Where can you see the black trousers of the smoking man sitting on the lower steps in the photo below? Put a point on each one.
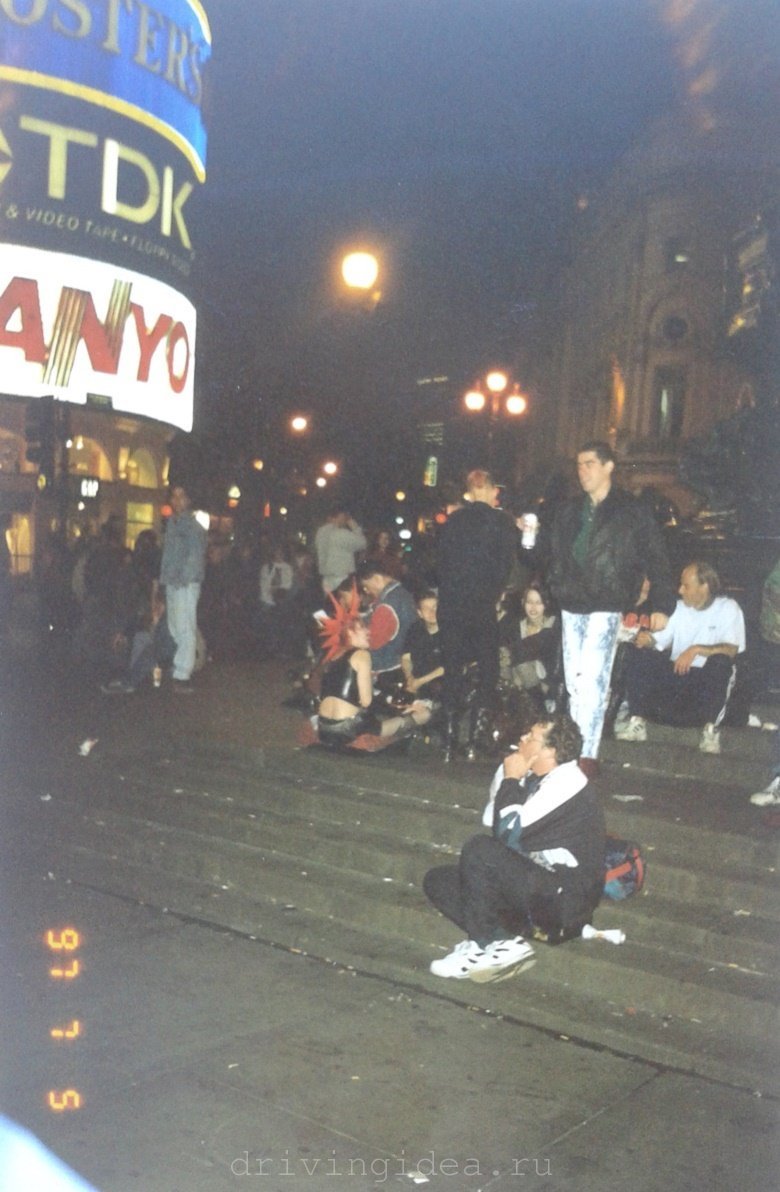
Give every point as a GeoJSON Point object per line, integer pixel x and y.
{"type": "Point", "coordinates": [494, 893]}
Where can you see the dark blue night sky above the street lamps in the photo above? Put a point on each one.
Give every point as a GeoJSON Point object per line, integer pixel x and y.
{"type": "Point", "coordinates": [454, 136]}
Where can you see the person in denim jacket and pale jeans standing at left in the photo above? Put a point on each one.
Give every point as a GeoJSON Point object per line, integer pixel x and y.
{"type": "Point", "coordinates": [182, 572]}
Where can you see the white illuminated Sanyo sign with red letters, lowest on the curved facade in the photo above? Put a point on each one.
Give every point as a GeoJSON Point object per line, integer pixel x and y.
{"type": "Point", "coordinates": [92, 333]}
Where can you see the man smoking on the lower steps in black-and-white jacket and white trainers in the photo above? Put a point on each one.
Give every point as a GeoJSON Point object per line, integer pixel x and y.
{"type": "Point", "coordinates": [543, 866]}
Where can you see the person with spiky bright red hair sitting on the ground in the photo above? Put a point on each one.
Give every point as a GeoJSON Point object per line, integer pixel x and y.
{"type": "Point", "coordinates": [348, 706]}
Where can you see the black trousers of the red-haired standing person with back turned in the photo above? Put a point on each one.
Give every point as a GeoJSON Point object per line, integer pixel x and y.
{"type": "Point", "coordinates": [469, 638]}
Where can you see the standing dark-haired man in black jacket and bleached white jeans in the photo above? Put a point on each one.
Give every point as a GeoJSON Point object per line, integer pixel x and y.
{"type": "Point", "coordinates": [604, 545]}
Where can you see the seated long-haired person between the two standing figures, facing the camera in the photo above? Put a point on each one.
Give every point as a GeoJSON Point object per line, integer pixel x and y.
{"type": "Point", "coordinates": [531, 645]}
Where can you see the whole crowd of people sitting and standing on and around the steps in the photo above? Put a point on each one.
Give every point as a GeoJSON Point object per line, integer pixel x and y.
{"type": "Point", "coordinates": [523, 647]}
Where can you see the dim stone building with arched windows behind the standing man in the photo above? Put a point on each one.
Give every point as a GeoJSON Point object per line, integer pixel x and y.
{"type": "Point", "coordinates": [646, 359]}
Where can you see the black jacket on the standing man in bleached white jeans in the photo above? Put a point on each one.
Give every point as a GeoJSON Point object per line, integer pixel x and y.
{"type": "Point", "coordinates": [626, 547]}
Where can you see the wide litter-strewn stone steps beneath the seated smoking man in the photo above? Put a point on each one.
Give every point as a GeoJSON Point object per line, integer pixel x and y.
{"type": "Point", "coordinates": [326, 855]}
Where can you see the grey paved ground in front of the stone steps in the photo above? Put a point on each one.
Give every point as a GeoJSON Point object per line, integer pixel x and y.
{"type": "Point", "coordinates": [207, 1059]}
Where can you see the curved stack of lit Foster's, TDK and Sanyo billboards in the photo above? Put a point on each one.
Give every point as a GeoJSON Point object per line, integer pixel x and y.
{"type": "Point", "coordinates": [103, 150]}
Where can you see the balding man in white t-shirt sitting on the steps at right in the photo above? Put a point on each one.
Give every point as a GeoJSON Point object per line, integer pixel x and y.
{"type": "Point", "coordinates": [683, 675]}
